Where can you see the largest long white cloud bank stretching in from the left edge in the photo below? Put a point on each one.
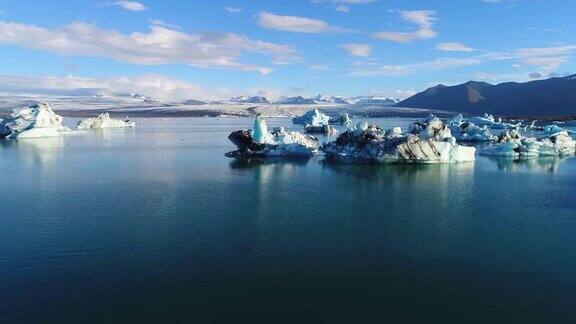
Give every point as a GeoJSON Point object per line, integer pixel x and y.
{"type": "Point", "coordinates": [160, 45]}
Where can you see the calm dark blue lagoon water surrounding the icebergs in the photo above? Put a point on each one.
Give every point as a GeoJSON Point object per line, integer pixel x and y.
{"type": "Point", "coordinates": [156, 225]}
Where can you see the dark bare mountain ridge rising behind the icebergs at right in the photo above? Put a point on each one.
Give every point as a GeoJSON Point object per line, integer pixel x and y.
{"type": "Point", "coordinates": [554, 96]}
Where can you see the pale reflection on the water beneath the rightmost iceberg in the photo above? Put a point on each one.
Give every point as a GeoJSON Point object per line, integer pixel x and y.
{"type": "Point", "coordinates": [534, 164]}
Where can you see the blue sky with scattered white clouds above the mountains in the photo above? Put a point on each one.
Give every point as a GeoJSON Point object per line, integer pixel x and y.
{"type": "Point", "coordinates": [219, 48]}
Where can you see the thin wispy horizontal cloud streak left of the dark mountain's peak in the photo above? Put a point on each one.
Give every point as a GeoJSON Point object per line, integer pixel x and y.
{"type": "Point", "coordinates": [376, 68]}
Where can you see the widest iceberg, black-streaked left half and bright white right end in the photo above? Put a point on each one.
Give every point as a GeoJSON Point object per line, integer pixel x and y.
{"type": "Point", "coordinates": [371, 144]}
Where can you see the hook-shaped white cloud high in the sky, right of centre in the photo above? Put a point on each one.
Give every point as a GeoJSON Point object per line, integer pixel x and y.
{"type": "Point", "coordinates": [423, 18]}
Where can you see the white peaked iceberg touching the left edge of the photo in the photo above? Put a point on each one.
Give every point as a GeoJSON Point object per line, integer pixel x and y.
{"type": "Point", "coordinates": [35, 121]}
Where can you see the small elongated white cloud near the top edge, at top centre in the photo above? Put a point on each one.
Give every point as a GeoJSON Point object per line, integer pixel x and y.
{"type": "Point", "coordinates": [296, 24]}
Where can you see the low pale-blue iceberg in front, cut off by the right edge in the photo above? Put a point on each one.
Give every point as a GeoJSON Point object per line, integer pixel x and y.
{"type": "Point", "coordinates": [512, 144]}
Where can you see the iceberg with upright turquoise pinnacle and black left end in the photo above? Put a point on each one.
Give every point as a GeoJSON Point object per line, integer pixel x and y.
{"type": "Point", "coordinates": [259, 142]}
